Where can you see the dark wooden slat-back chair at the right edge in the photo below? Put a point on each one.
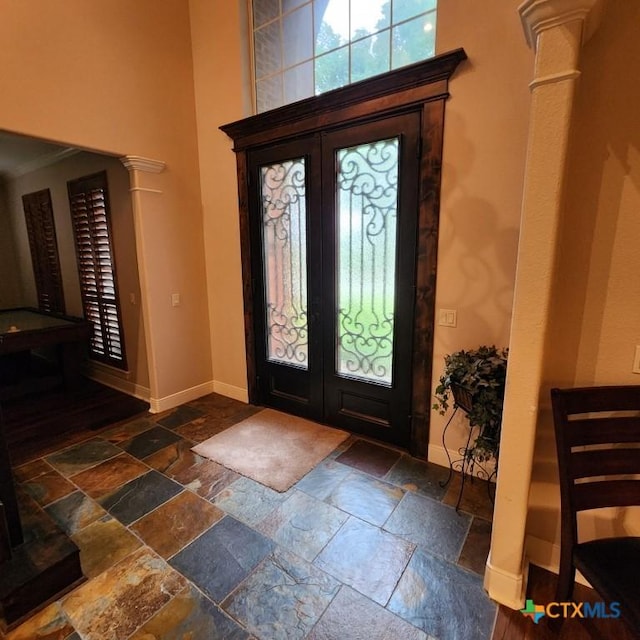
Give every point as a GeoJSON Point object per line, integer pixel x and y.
{"type": "Point", "coordinates": [598, 440]}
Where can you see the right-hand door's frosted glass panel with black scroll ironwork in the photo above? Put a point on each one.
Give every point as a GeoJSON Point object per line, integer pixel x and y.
{"type": "Point", "coordinates": [367, 203]}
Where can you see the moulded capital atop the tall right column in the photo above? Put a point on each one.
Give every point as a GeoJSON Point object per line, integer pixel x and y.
{"type": "Point", "coordinates": [538, 15]}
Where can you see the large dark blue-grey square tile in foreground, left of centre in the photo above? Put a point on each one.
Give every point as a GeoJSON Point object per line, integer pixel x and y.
{"type": "Point", "coordinates": [222, 557]}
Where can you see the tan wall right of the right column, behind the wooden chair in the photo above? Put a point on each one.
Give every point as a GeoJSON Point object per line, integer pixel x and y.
{"type": "Point", "coordinates": [595, 323]}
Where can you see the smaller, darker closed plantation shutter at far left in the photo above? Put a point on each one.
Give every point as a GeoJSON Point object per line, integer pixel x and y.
{"type": "Point", "coordinates": [41, 230]}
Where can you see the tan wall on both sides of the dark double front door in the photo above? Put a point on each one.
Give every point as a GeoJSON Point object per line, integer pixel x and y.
{"type": "Point", "coordinates": [485, 137]}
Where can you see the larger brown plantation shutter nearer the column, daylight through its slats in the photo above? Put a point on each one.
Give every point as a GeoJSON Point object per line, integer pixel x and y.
{"type": "Point", "coordinates": [89, 203]}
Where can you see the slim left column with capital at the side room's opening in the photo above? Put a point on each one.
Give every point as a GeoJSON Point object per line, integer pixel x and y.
{"type": "Point", "coordinates": [137, 167]}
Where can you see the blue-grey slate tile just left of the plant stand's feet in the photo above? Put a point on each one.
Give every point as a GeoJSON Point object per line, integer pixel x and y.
{"type": "Point", "coordinates": [429, 523]}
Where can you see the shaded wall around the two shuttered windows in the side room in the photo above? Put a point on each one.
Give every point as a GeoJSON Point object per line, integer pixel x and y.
{"type": "Point", "coordinates": [55, 179]}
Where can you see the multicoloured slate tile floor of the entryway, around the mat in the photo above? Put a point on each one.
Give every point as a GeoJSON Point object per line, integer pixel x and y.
{"type": "Point", "coordinates": [367, 545]}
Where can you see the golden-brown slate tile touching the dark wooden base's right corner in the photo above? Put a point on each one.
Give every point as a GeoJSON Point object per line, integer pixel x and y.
{"type": "Point", "coordinates": [102, 544]}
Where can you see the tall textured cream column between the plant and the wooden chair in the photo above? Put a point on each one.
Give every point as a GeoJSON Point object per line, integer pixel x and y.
{"type": "Point", "coordinates": [556, 29]}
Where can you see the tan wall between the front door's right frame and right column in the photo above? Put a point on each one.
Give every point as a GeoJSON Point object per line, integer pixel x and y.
{"type": "Point", "coordinates": [486, 124]}
